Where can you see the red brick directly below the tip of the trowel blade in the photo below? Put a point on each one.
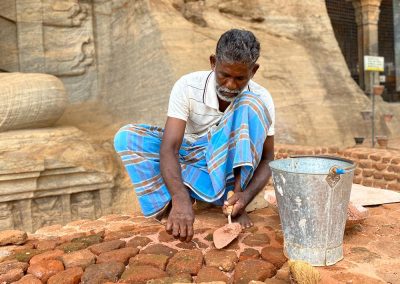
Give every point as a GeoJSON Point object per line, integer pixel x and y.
{"type": "Point", "coordinates": [224, 260]}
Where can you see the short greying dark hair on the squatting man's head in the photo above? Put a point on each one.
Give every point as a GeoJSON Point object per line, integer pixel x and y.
{"type": "Point", "coordinates": [238, 46]}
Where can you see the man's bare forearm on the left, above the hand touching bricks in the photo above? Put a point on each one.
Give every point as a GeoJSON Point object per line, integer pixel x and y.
{"type": "Point", "coordinates": [171, 173]}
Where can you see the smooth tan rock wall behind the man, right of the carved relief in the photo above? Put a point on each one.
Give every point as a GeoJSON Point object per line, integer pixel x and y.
{"type": "Point", "coordinates": [153, 43]}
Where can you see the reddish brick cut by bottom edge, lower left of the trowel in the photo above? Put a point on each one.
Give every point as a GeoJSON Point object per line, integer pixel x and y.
{"type": "Point", "coordinates": [141, 274]}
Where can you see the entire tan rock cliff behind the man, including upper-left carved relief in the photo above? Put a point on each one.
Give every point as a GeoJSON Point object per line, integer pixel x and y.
{"type": "Point", "coordinates": [126, 55]}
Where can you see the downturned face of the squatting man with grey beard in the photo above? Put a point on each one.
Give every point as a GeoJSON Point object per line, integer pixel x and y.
{"type": "Point", "coordinates": [231, 78]}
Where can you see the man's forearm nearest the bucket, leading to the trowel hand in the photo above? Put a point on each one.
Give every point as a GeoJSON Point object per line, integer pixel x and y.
{"type": "Point", "coordinates": [259, 180]}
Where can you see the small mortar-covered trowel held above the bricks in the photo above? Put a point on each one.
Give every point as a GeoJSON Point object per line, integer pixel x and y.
{"type": "Point", "coordinates": [226, 234]}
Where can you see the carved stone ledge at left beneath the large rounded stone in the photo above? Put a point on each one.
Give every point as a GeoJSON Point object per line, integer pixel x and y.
{"type": "Point", "coordinates": [53, 176]}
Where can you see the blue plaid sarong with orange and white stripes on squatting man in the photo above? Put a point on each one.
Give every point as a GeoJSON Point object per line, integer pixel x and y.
{"type": "Point", "coordinates": [207, 164]}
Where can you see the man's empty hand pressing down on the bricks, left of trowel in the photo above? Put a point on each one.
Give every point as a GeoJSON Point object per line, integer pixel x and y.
{"type": "Point", "coordinates": [180, 219]}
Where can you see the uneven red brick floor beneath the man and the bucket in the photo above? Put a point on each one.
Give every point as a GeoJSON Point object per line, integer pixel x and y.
{"type": "Point", "coordinates": [370, 251]}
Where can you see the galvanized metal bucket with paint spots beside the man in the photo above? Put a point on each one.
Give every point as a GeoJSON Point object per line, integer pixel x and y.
{"type": "Point", "coordinates": [313, 193]}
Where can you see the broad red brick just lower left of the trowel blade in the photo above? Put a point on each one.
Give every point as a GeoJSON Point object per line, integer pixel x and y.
{"type": "Point", "coordinates": [186, 261]}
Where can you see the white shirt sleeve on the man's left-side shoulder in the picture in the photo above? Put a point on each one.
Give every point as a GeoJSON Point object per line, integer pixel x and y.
{"type": "Point", "coordinates": [178, 106]}
